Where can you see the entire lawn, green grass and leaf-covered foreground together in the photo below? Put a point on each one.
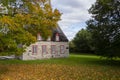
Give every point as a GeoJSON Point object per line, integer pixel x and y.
{"type": "Point", "coordinates": [76, 67]}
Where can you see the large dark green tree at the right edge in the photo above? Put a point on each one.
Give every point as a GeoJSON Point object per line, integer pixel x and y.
{"type": "Point", "coordinates": [105, 27]}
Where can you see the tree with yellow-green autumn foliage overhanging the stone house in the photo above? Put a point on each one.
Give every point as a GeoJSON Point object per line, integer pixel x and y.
{"type": "Point", "coordinates": [21, 20]}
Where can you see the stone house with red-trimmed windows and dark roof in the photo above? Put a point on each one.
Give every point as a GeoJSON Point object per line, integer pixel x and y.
{"type": "Point", "coordinates": [55, 47]}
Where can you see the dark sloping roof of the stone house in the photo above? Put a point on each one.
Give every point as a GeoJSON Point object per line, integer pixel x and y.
{"type": "Point", "coordinates": [62, 36]}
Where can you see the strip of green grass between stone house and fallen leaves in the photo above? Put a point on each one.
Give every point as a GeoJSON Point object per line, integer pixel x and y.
{"type": "Point", "coordinates": [73, 59]}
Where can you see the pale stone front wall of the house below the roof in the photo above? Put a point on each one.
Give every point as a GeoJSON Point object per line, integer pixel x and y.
{"type": "Point", "coordinates": [62, 50]}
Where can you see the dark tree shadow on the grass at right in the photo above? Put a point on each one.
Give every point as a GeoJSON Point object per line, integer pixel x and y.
{"type": "Point", "coordinates": [96, 61]}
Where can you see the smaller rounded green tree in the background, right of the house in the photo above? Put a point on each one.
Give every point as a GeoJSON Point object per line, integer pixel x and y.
{"type": "Point", "coordinates": [82, 41]}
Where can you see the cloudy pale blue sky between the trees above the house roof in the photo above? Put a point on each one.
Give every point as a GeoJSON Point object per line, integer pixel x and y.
{"type": "Point", "coordinates": [74, 15]}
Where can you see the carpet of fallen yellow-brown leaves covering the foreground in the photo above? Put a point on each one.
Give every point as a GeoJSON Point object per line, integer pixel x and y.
{"type": "Point", "coordinates": [57, 72]}
